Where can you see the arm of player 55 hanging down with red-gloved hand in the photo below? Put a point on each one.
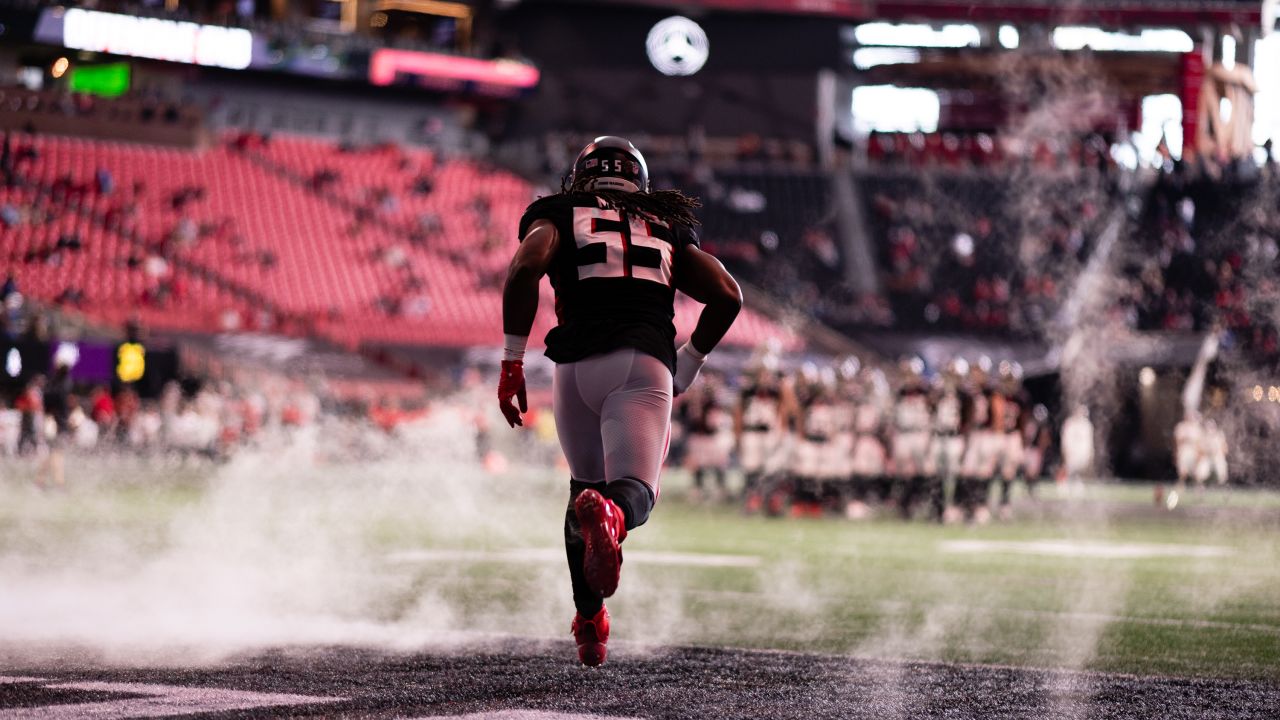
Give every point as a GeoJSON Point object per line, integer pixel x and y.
{"type": "Point", "coordinates": [532, 262]}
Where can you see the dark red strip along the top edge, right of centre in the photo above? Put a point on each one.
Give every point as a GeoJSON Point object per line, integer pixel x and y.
{"type": "Point", "coordinates": [1107, 13]}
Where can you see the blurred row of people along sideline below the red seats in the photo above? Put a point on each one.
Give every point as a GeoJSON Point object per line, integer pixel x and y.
{"type": "Point", "coordinates": [211, 420]}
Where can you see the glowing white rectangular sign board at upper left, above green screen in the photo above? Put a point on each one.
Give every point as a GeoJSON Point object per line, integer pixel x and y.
{"type": "Point", "coordinates": [158, 39]}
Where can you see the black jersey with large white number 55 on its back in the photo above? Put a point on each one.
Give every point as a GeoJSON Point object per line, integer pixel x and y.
{"type": "Point", "coordinates": [612, 275]}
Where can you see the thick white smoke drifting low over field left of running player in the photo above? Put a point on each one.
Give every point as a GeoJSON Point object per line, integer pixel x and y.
{"type": "Point", "coordinates": [282, 550]}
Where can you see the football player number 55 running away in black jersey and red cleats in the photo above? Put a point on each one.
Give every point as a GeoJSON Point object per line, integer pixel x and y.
{"type": "Point", "coordinates": [615, 253]}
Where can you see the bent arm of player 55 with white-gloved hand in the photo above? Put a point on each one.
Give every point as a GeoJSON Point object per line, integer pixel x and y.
{"type": "Point", "coordinates": [702, 277]}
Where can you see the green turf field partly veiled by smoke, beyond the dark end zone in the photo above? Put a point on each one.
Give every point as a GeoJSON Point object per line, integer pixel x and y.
{"type": "Point", "coordinates": [147, 560]}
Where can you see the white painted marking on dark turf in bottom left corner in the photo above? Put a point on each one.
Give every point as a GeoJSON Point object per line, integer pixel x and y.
{"type": "Point", "coordinates": [162, 700]}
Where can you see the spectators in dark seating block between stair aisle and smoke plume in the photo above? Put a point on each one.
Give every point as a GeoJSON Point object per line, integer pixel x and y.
{"type": "Point", "coordinates": [989, 252]}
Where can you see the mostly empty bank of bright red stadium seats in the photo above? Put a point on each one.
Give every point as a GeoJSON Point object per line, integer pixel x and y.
{"type": "Point", "coordinates": [371, 245]}
